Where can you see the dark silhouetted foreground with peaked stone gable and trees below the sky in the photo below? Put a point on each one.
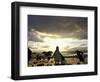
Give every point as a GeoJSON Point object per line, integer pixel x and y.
{"type": "Point", "coordinates": [47, 59]}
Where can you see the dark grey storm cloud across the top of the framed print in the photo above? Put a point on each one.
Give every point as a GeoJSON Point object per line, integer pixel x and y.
{"type": "Point", "coordinates": [66, 27]}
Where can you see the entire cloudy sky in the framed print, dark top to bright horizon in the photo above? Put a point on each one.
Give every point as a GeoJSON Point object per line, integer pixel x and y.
{"type": "Point", "coordinates": [47, 32]}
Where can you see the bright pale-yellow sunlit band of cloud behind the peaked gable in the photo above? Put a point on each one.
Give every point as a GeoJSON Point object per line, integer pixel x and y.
{"type": "Point", "coordinates": [48, 42]}
